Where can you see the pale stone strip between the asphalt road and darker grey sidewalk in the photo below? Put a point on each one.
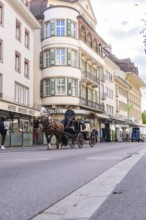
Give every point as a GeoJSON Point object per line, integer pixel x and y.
{"type": "Point", "coordinates": [82, 203]}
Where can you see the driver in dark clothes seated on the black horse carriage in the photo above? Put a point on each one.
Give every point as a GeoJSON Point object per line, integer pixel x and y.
{"type": "Point", "coordinates": [68, 116]}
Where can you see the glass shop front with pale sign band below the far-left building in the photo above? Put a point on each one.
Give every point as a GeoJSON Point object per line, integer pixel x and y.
{"type": "Point", "coordinates": [21, 124]}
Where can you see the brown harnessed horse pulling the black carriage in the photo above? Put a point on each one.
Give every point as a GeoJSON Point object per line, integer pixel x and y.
{"type": "Point", "coordinates": [52, 127]}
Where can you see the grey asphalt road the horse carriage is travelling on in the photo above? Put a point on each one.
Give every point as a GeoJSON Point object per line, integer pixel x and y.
{"type": "Point", "coordinates": [33, 180]}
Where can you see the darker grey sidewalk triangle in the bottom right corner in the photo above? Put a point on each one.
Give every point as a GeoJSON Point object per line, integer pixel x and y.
{"type": "Point", "coordinates": [128, 199]}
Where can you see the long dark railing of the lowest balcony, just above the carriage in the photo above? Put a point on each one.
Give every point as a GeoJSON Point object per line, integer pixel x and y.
{"type": "Point", "coordinates": [92, 104]}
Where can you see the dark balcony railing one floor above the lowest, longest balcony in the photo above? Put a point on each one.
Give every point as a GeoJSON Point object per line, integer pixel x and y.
{"type": "Point", "coordinates": [89, 78]}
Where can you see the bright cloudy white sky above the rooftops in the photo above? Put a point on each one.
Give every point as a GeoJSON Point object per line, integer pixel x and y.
{"type": "Point", "coordinates": [120, 23]}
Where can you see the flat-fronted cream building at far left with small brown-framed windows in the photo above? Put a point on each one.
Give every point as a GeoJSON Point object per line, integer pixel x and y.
{"type": "Point", "coordinates": [17, 26]}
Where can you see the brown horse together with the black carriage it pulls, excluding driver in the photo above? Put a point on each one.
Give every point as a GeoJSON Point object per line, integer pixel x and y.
{"type": "Point", "coordinates": [75, 134]}
